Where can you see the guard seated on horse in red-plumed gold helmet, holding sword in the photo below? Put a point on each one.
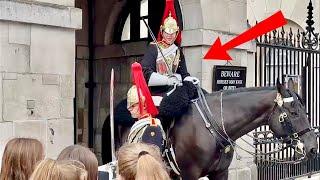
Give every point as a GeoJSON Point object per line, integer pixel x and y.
{"type": "Point", "coordinates": [165, 69]}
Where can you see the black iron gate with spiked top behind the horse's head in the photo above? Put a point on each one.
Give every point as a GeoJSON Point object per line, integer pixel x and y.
{"type": "Point", "coordinates": [286, 55]}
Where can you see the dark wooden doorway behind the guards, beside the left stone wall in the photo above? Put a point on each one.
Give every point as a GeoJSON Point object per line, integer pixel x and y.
{"type": "Point", "coordinates": [106, 53]}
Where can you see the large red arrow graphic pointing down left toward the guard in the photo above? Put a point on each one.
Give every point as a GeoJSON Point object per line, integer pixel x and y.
{"type": "Point", "coordinates": [219, 51]}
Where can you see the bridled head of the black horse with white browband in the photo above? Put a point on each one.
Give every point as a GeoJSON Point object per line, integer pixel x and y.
{"type": "Point", "coordinates": [289, 122]}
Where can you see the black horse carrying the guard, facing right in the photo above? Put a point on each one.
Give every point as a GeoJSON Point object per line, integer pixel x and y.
{"type": "Point", "coordinates": [200, 153]}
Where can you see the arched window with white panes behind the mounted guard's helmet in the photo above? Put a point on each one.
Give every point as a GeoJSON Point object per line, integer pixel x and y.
{"type": "Point", "coordinates": [130, 26]}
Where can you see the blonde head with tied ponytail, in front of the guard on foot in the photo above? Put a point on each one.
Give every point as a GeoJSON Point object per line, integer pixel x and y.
{"type": "Point", "coordinates": [139, 161]}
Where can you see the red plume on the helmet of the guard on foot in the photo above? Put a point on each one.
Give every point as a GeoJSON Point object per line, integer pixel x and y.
{"type": "Point", "coordinates": [142, 87]}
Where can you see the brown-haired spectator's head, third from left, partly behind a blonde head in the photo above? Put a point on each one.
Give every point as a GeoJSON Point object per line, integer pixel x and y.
{"type": "Point", "coordinates": [84, 155]}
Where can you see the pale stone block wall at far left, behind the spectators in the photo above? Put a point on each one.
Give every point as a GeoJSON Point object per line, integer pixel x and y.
{"type": "Point", "coordinates": [37, 71]}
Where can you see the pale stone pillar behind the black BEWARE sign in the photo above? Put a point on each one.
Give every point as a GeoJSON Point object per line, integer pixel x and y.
{"type": "Point", "coordinates": [204, 21]}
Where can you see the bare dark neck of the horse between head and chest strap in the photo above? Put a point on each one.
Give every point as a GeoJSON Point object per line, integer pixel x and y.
{"type": "Point", "coordinates": [245, 111]}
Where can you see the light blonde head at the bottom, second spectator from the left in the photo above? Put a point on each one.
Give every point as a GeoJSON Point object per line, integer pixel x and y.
{"type": "Point", "coordinates": [59, 170]}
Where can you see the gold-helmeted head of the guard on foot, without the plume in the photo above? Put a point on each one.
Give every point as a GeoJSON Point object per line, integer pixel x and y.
{"type": "Point", "coordinates": [133, 102]}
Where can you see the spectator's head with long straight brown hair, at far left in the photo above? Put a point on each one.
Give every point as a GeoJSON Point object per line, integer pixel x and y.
{"type": "Point", "coordinates": [20, 157]}
